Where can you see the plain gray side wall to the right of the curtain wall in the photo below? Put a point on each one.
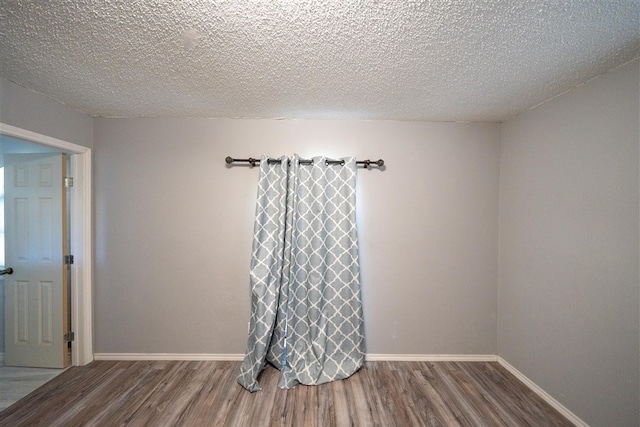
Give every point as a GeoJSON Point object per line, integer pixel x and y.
{"type": "Point", "coordinates": [569, 201]}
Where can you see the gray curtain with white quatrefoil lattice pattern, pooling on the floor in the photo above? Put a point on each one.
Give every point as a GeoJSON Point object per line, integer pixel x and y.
{"type": "Point", "coordinates": [306, 309]}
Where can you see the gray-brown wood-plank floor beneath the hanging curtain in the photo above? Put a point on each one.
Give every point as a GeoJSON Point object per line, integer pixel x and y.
{"type": "Point", "coordinates": [205, 393]}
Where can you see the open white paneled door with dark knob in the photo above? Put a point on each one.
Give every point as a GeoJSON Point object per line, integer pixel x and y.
{"type": "Point", "coordinates": [36, 314]}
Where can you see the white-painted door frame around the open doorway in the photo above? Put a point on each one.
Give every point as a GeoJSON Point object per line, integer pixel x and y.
{"type": "Point", "coordinates": [81, 239]}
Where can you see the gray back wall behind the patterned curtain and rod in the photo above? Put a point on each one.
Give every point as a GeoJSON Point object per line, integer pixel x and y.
{"type": "Point", "coordinates": [174, 227]}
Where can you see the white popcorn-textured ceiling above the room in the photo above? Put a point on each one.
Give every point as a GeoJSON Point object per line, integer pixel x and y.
{"type": "Point", "coordinates": [480, 60]}
